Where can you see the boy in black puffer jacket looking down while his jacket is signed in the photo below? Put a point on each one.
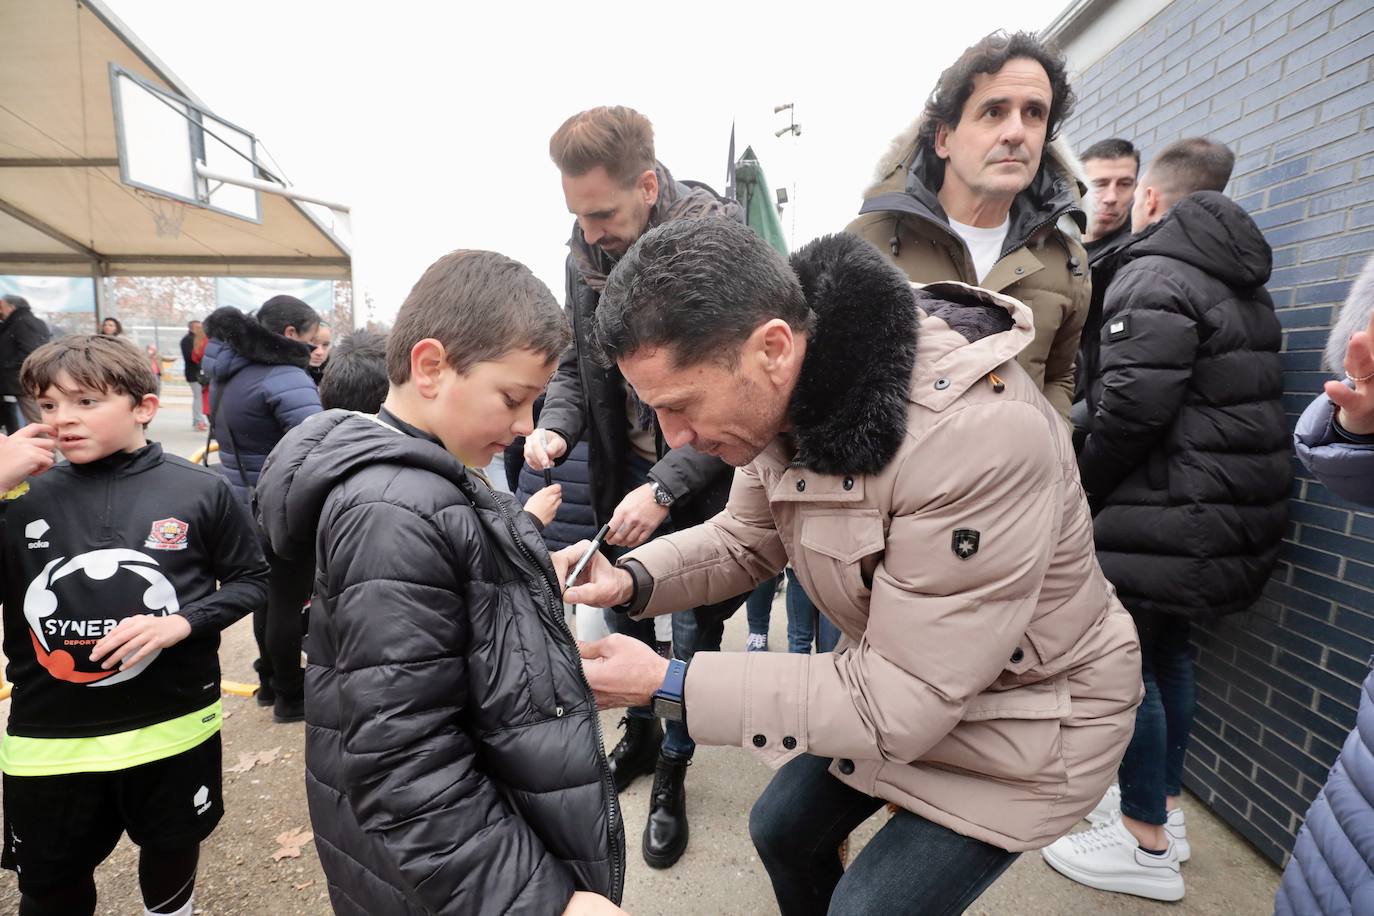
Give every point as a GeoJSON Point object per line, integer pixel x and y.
{"type": "Point", "coordinates": [454, 756]}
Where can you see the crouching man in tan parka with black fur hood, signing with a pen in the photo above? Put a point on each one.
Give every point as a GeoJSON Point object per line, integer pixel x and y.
{"type": "Point", "coordinates": [891, 450]}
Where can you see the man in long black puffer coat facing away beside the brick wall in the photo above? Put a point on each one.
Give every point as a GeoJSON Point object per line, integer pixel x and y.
{"type": "Point", "coordinates": [1188, 466]}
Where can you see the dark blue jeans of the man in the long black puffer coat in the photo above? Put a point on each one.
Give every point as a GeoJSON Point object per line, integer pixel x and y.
{"type": "Point", "coordinates": [1153, 763]}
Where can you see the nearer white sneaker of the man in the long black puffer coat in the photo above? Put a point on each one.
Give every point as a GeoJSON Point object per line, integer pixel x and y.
{"type": "Point", "coordinates": [1110, 859]}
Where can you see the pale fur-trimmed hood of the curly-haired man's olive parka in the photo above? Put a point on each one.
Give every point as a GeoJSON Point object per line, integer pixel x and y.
{"type": "Point", "coordinates": [1060, 186]}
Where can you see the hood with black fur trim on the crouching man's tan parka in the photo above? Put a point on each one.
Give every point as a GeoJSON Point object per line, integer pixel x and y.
{"type": "Point", "coordinates": [850, 407]}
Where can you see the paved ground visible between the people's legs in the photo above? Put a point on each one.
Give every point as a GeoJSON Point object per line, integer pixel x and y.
{"type": "Point", "coordinates": [719, 874]}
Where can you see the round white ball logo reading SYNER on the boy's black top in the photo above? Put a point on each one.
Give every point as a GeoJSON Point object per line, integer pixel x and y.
{"type": "Point", "coordinates": [128, 583]}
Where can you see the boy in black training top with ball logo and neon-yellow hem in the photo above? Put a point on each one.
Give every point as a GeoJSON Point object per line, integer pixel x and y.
{"type": "Point", "coordinates": [109, 571]}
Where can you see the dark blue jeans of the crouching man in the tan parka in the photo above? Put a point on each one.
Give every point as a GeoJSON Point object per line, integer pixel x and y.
{"type": "Point", "coordinates": [912, 866]}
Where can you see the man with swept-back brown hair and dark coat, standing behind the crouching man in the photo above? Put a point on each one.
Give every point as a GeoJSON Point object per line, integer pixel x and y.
{"type": "Point", "coordinates": [618, 190]}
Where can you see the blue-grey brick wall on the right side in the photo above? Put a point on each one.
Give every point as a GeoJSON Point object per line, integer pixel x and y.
{"type": "Point", "coordinates": [1288, 86]}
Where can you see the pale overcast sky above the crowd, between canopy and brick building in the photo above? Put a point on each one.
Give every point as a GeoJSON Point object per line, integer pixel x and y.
{"type": "Point", "coordinates": [432, 120]}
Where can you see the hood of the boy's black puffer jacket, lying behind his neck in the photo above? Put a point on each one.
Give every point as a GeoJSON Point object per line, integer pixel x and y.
{"type": "Point", "coordinates": [314, 458]}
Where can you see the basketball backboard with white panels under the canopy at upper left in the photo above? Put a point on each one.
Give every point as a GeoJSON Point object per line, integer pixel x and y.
{"type": "Point", "coordinates": [166, 142]}
